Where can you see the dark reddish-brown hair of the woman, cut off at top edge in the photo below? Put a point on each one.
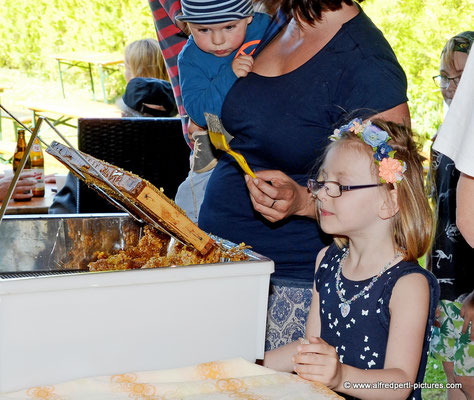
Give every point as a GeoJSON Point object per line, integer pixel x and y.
{"type": "Point", "coordinates": [311, 10]}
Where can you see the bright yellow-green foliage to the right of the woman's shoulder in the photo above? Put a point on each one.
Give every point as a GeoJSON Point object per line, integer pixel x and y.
{"type": "Point", "coordinates": [418, 31]}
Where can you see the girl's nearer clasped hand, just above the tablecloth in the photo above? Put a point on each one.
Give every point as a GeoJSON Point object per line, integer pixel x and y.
{"type": "Point", "coordinates": [318, 361]}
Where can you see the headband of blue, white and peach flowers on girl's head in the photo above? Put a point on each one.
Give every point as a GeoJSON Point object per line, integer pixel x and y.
{"type": "Point", "coordinates": [390, 169]}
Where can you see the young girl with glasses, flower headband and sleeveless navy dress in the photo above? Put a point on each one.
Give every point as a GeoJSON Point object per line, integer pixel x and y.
{"type": "Point", "coordinates": [373, 305]}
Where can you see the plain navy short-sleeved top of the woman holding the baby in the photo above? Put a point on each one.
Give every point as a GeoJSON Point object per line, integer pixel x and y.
{"type": "Point", "coordinates": [283, 123]}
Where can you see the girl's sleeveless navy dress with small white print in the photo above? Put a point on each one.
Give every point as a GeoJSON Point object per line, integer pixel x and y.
{"type": "Point", "coordinates": [361, 337]}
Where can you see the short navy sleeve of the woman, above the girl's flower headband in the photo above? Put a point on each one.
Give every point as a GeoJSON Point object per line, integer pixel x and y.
{"type": "Point", "coordinates": [371, 86]}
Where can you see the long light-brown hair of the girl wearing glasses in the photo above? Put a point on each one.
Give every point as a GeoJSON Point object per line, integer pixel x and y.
{"type": "Point", "coordinates": [413, 225]}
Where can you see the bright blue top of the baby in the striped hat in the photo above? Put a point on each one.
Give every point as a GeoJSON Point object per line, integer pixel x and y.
{"type": "Point", "coordinates": [202, 93]}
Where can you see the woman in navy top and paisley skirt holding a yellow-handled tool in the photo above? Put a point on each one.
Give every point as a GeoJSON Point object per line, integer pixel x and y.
{"type": "Point", "coordinates": [325, 61]}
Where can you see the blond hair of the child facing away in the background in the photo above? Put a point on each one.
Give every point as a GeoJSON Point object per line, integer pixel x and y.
{"type": "Point", "coordinates": [144, 59]}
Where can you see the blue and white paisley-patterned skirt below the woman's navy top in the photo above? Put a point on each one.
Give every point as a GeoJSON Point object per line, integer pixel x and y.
{"type": "Point", "coordinates": [288, 308]}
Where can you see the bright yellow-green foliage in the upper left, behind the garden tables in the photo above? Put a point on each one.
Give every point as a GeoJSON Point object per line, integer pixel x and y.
{"type": "Point", "coordinates": [32, 32]}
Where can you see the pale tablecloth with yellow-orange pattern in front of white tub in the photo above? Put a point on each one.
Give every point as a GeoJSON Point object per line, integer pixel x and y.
{"type": "Point", "coordinates": [231, 379]}
